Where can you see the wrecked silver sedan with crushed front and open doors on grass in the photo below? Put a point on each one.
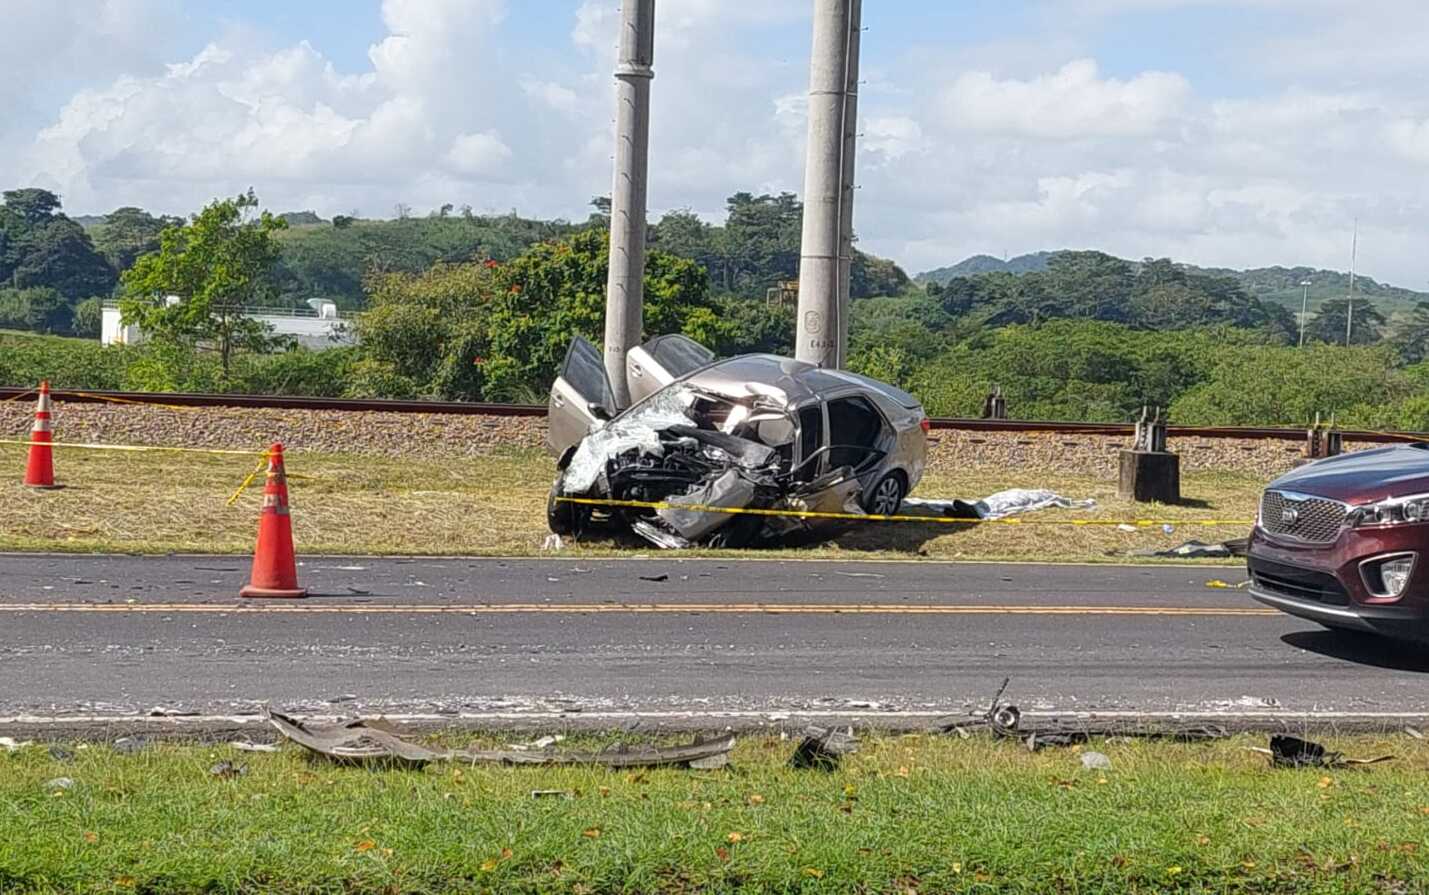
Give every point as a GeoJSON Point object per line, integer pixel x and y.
{"type": "Point", "coordinates": [755, 432]}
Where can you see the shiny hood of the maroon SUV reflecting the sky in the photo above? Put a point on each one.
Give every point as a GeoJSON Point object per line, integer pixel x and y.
{"type": "Point", "coordinates": [1364, 477]}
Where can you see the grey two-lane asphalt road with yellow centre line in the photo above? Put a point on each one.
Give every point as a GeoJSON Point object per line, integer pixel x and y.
{"type": "Point", "coordinates": [658, 641]}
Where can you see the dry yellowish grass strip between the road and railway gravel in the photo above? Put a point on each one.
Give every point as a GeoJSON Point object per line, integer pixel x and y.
{"type": "Point", "coordinates": [495, 505]}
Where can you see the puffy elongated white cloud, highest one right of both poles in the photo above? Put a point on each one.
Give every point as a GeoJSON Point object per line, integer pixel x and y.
{"type": "Point", "coordinates": [1072, 102]}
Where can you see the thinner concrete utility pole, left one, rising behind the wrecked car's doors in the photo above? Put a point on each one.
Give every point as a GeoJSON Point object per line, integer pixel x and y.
{"type": "Point", "coordinates": [625, 287]}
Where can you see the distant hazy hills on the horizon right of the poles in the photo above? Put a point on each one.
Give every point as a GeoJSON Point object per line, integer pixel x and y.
{"type": "Point", "coordinates": [1278, 285]}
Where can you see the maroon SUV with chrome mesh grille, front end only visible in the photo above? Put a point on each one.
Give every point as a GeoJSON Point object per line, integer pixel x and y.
{"type": "Point", "coordinates": [1338, 543]}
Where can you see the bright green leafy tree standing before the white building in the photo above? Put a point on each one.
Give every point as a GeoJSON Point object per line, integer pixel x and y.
{"type": "Point", "coordinates": [216, 267]}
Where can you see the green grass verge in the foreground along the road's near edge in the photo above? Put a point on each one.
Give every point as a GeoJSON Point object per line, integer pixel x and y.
{"type": "Point", "coordinates": [912, 814]}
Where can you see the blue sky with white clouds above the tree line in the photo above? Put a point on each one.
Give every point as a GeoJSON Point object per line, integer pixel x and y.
{"type": "Point", "coordinates": [1214, 132]}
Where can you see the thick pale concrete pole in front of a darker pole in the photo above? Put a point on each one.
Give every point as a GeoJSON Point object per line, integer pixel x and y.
{"type": "Point", "coordinates": [818, 324]}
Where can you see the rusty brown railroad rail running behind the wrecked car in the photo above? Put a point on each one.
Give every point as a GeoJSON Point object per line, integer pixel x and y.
{"type": "Point", "coordinates": [491, 410]}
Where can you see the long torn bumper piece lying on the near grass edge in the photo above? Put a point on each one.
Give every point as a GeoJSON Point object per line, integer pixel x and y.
{"type": "Point", "coordinates": [378, 741]}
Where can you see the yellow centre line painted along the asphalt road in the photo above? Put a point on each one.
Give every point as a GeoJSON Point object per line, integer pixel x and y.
{"type": "Point", "coordinates": [634, 610]}
